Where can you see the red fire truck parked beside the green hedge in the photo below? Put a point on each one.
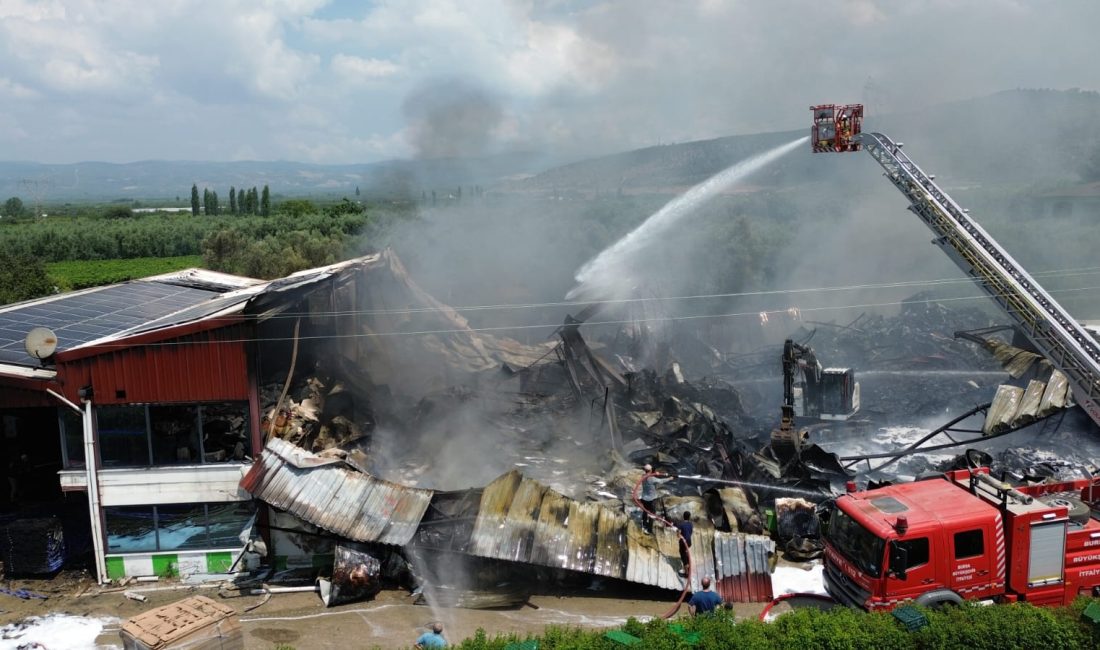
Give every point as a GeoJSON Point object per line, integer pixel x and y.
{"type": "Point", "coordinates": [964, 537]}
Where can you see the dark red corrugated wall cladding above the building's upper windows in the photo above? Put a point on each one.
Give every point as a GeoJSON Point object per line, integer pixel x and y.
{"type": "Point", "coordinates": [205, 367]}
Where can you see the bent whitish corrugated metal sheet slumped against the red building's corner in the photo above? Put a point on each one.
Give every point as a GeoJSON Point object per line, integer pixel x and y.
{"type": "Point", "coordinates": [336, 498]}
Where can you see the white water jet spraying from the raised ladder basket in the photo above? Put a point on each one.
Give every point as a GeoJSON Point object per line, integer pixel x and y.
{"type": "Point", "coordinates": [604, 273]}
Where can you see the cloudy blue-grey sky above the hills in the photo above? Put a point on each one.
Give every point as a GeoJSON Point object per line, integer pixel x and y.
{"type": "Point", "coordinates": [354, 82]}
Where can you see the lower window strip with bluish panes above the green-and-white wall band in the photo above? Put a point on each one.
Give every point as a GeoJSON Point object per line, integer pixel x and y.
{"type": "Point", "coordinates": [179, 527]}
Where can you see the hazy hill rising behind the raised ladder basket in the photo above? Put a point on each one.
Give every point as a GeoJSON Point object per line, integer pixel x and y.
{"type": "Point", "coordinates": [1040, 137]}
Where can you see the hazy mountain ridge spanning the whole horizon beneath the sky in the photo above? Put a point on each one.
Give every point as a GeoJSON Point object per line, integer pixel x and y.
{"type": "Point", "coordinates": [1043, 137]}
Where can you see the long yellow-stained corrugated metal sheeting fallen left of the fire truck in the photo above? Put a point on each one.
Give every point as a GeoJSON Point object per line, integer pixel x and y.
{"type": "Point", "coordinates": [521, 521]}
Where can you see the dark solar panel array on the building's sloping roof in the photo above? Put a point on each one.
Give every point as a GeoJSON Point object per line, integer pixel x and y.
{"type": "Point", "coordinates": [84, 317]}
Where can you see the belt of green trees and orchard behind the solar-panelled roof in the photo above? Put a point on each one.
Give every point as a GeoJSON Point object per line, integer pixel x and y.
{"type": "Point", "coordinates": [296, 236]}
